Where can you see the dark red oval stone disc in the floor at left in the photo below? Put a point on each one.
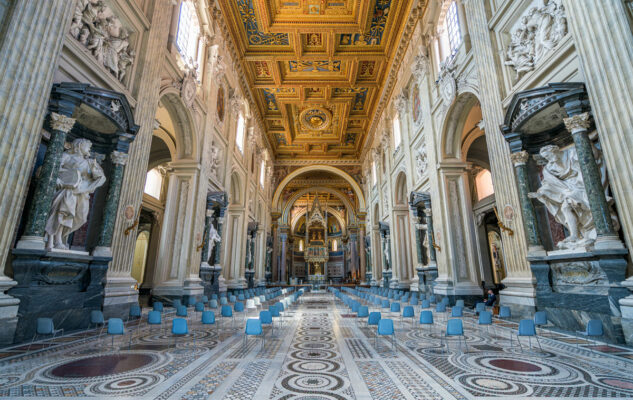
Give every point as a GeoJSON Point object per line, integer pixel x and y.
{"type": "Point", "coordinates": [102, 365]}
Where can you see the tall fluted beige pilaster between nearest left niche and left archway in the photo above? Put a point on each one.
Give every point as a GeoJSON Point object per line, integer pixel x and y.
{"type": "Point", "coordinates": [119, 284]}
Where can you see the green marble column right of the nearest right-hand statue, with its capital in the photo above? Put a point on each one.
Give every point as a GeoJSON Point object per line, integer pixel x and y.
{"type": "Point", "coordinates": [578, 125]}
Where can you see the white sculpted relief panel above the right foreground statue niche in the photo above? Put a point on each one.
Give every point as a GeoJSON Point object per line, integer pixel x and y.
{"type": "Point", "coordinates": [539, 30]}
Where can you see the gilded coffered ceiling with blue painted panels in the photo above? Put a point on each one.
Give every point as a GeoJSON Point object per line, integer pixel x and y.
{"type": "Point", "coordinates": [316, 68]}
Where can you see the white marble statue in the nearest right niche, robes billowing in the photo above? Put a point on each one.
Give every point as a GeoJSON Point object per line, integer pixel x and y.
{"type": "Point", "coordinates": [563, 193]}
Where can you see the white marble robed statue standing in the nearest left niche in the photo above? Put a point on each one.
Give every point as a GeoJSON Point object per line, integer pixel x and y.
{"type": "Point", "coordinates": [79, 176]}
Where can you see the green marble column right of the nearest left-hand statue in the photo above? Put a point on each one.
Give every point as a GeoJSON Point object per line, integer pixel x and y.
{"type": "Point", "coordinates": [104, 246]}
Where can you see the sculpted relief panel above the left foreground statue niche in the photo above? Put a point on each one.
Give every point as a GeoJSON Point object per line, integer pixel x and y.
{"type": "Point", "coordinates": [95, 26]}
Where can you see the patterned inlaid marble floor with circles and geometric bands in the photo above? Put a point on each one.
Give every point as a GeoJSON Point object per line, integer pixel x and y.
{"type": "Point", "coordinates": [320, 352]}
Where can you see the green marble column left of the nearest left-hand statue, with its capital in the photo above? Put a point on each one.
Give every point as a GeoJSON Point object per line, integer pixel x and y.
{"type": "Point", "coordinates": [45, 185]}
